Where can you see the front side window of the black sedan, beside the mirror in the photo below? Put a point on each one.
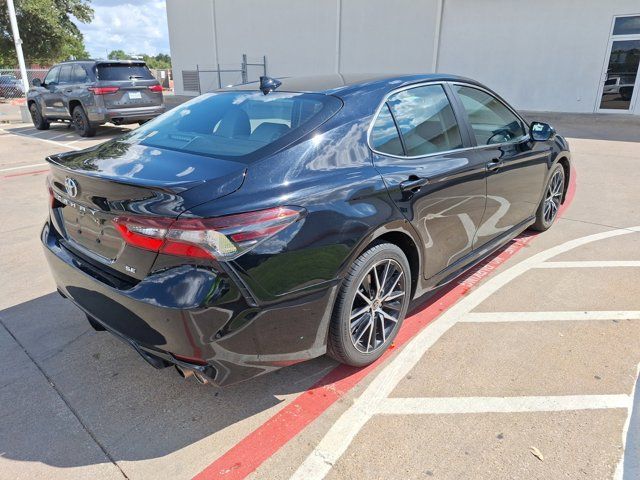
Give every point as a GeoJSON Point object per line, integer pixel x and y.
{"type": "Point", "coordinates": [491, 120]}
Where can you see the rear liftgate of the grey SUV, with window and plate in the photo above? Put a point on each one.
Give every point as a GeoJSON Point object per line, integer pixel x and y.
{"type": "Point", "coordinates": [137, 87]}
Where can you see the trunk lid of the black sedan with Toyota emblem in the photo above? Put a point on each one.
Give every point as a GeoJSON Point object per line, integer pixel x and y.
{"type": "Point", "coordinates": [93, 188]}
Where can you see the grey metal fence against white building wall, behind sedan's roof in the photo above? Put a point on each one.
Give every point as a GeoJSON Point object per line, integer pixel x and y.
{"type": "Point", "coordinates": [205, 78]}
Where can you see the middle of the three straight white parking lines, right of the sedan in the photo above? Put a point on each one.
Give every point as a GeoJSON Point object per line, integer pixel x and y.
{"type": "Point", "coordinates": [500, 317]}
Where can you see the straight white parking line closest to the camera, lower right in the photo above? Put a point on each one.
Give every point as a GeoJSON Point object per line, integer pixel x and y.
{"type": "Point", "coordinates": [444, 405]}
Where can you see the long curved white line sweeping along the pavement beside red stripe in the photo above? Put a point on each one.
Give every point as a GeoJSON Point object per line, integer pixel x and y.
{"type": "Point", "coordinates": [343, 431]}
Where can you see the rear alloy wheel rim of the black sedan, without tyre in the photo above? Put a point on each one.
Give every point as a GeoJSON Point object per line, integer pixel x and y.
{"type": "Point", "coordinates": [377, 305]}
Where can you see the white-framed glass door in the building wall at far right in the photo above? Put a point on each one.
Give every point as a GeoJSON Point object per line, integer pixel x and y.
{"type": "Point", "coordinates": [620, 79]}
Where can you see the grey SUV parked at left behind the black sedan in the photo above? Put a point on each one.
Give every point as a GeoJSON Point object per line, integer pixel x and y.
{"type": "Point", "coordinates": [91, 93]}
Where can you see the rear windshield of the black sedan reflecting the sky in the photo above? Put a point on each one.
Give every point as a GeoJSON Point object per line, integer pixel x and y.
{"type": "Point", "coordinates": [234, 125]}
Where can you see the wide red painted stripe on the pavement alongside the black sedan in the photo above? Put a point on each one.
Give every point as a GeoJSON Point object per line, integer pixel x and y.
{"type": "Point", "coordinates": [253, 450]}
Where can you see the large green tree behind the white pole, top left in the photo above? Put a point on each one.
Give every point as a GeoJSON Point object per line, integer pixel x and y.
{"type": "Point", "coordinates": [47, 31]}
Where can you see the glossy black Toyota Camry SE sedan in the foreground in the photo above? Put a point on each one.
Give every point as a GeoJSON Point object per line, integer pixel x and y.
{"type": "Point", "coordinates": [267, 224]}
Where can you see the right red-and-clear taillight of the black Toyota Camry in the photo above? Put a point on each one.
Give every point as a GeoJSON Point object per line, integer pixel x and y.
{"type": "Point", "coordinates": [222, 238]}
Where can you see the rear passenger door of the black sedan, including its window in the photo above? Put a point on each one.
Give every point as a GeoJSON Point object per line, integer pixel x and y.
{"type": "Point", "coordinates": [437, 183]}
